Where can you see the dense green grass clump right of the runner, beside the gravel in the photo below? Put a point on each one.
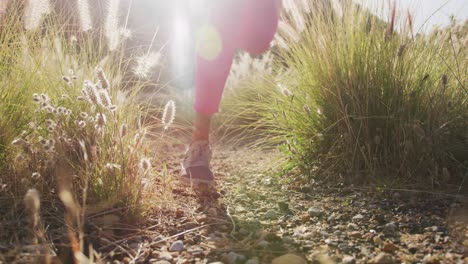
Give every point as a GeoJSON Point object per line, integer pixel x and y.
{"type": "Point", "coordinates": [361, 102]}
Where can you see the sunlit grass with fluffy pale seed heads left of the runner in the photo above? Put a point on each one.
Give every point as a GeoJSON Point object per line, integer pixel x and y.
{"type": "Point", "coordinates": [71, 126]}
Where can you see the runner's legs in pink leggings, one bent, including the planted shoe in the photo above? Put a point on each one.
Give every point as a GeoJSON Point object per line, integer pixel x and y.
{"type": "Point", "coordinates": [246, 24]}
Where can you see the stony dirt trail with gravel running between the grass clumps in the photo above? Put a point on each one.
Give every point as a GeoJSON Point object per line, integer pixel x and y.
{"type": "Point", "coordinates": [252, 216]}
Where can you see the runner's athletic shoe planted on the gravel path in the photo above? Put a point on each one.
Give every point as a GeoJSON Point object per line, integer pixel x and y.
{"type": "Point", "coordinates": [196, 164]}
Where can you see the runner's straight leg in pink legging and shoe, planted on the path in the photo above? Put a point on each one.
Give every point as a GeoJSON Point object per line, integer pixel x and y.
{"type": "Point", "coordinates": [215, 52]}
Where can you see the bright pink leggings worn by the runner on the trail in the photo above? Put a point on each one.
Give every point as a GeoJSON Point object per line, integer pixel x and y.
{"type": "Point", "coordinates": [241, 24]}
